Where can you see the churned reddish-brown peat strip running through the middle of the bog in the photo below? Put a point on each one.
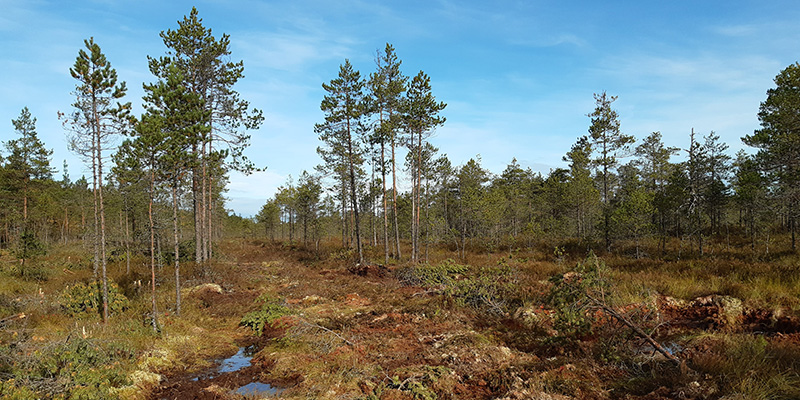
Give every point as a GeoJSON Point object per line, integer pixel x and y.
{"type": "Point", "coordinates": [366, 334]}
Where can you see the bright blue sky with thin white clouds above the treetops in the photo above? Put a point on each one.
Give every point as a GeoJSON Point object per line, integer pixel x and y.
{"type": "Point", "coordinates": [518, 76]}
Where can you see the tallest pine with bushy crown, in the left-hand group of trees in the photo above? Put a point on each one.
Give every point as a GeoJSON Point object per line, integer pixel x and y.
{"type": "Point", "coordinates": [203, 62]}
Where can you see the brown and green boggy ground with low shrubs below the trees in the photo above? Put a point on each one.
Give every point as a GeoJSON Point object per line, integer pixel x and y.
{"type": "Point", "coordinates": [512, 325]}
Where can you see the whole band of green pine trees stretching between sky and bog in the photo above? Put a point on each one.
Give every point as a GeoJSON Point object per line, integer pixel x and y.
{"type": "Point", "coordinates": [177, 156]}
